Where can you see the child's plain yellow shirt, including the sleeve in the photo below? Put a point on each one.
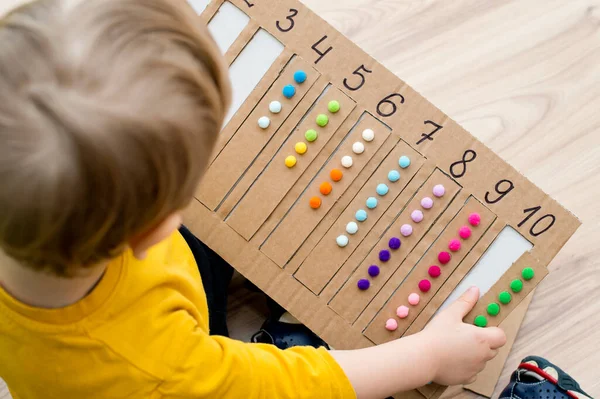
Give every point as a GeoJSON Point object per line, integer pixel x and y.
{"type": "Point", "coordinates": [143, 333]}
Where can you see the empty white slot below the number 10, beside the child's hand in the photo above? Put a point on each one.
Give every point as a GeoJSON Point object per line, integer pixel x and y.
{"type": "Point", "coordinates": [506, 249]}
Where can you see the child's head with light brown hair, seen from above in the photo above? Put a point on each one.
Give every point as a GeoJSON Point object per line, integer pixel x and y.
{"type": "Point", "coordinates": [109, 110]}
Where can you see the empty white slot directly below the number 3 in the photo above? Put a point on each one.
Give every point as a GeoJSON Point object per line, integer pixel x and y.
{"type": "Point", "coordinates": [250, 66]}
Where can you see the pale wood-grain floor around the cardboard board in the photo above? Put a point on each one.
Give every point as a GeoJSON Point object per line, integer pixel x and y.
{"type": "Point", "coordinates": [524, 77]}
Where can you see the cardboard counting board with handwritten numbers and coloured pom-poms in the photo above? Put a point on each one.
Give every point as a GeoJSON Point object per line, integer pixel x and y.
{"type": "Point", "coordinates": [350, 199]}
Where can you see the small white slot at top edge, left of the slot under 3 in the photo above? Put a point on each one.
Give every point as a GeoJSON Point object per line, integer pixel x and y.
{"type": "Point", "coordinates": [227, 24]}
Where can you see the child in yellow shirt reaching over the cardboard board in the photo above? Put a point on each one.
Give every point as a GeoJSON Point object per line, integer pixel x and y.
{"type": "Point", "coordinates": [109, 110]}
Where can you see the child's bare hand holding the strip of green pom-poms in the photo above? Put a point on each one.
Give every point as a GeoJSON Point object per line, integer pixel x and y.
{"type": "Point", "coordinates": [462, 349]}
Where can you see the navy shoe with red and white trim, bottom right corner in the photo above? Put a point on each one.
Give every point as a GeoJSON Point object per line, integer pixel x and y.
{"type": "Point", "coordinates": [537, 378]}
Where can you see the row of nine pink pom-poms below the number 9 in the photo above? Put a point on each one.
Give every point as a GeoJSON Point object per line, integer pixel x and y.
{"type": "Point", "coordinates": [434, 271]}
